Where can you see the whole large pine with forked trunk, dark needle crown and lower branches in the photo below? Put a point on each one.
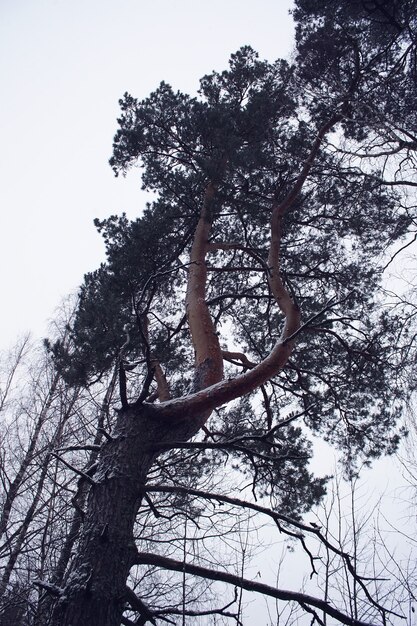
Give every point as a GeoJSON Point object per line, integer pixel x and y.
{"type": "Point", "coordinates": [276, 193]}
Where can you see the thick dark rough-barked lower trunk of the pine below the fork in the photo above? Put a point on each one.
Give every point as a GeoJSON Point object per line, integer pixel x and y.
{"type": "Point", "coordinates": [95, 589]}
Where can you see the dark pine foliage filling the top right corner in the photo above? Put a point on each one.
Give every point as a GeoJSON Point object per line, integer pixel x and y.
{"type": "Point", "coordinates": [367, 48]}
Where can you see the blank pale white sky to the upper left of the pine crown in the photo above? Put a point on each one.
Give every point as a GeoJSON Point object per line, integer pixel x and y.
{"type": "Point", "coordinates": [63, 67]}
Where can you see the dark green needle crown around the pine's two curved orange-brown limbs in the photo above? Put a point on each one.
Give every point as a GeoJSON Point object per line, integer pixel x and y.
{"type": "Point", "coordinates": [249, 130]}
